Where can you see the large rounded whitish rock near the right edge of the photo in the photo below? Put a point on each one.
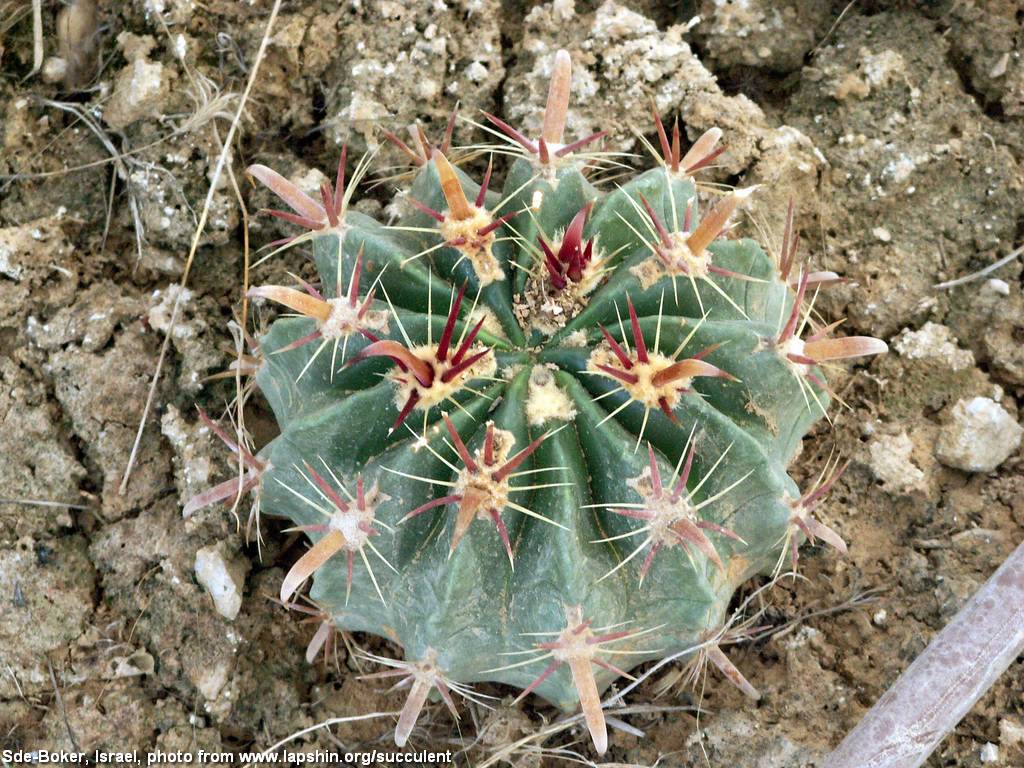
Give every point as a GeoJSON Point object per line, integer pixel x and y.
{"type": "Point", "coordinates": [980, 437]}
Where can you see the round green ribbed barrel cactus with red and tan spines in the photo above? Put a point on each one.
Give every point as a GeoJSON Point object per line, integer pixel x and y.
{"type": "Point", "coordinates": [539, 437]}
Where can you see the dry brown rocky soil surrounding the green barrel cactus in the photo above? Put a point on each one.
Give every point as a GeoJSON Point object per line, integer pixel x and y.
{"type": "Point", "coordinates": [898, 126]}
